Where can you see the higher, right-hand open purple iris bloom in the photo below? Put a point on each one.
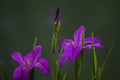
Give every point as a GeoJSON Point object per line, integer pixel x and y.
{"type": "Point", "coordinates": [72, 48]}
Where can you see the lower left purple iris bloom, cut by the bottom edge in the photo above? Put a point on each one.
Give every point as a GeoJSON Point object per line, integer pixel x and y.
{"type": "Point", "coordinates": [28, 62]}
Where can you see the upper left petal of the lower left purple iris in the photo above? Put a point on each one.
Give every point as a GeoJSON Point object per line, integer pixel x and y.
{"type": "Point", "coordinates": [18, 58]}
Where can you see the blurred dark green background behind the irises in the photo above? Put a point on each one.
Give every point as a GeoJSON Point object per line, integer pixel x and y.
{"type": "Point", "coordinates": [22, 20]}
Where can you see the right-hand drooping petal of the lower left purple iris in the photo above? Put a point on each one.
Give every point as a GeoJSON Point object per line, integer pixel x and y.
{"type": "Point", "coordinates": [43, 65]}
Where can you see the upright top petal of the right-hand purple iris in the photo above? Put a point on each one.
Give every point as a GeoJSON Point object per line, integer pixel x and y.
{"type": "Point", "coordinates": [78, 34]}
